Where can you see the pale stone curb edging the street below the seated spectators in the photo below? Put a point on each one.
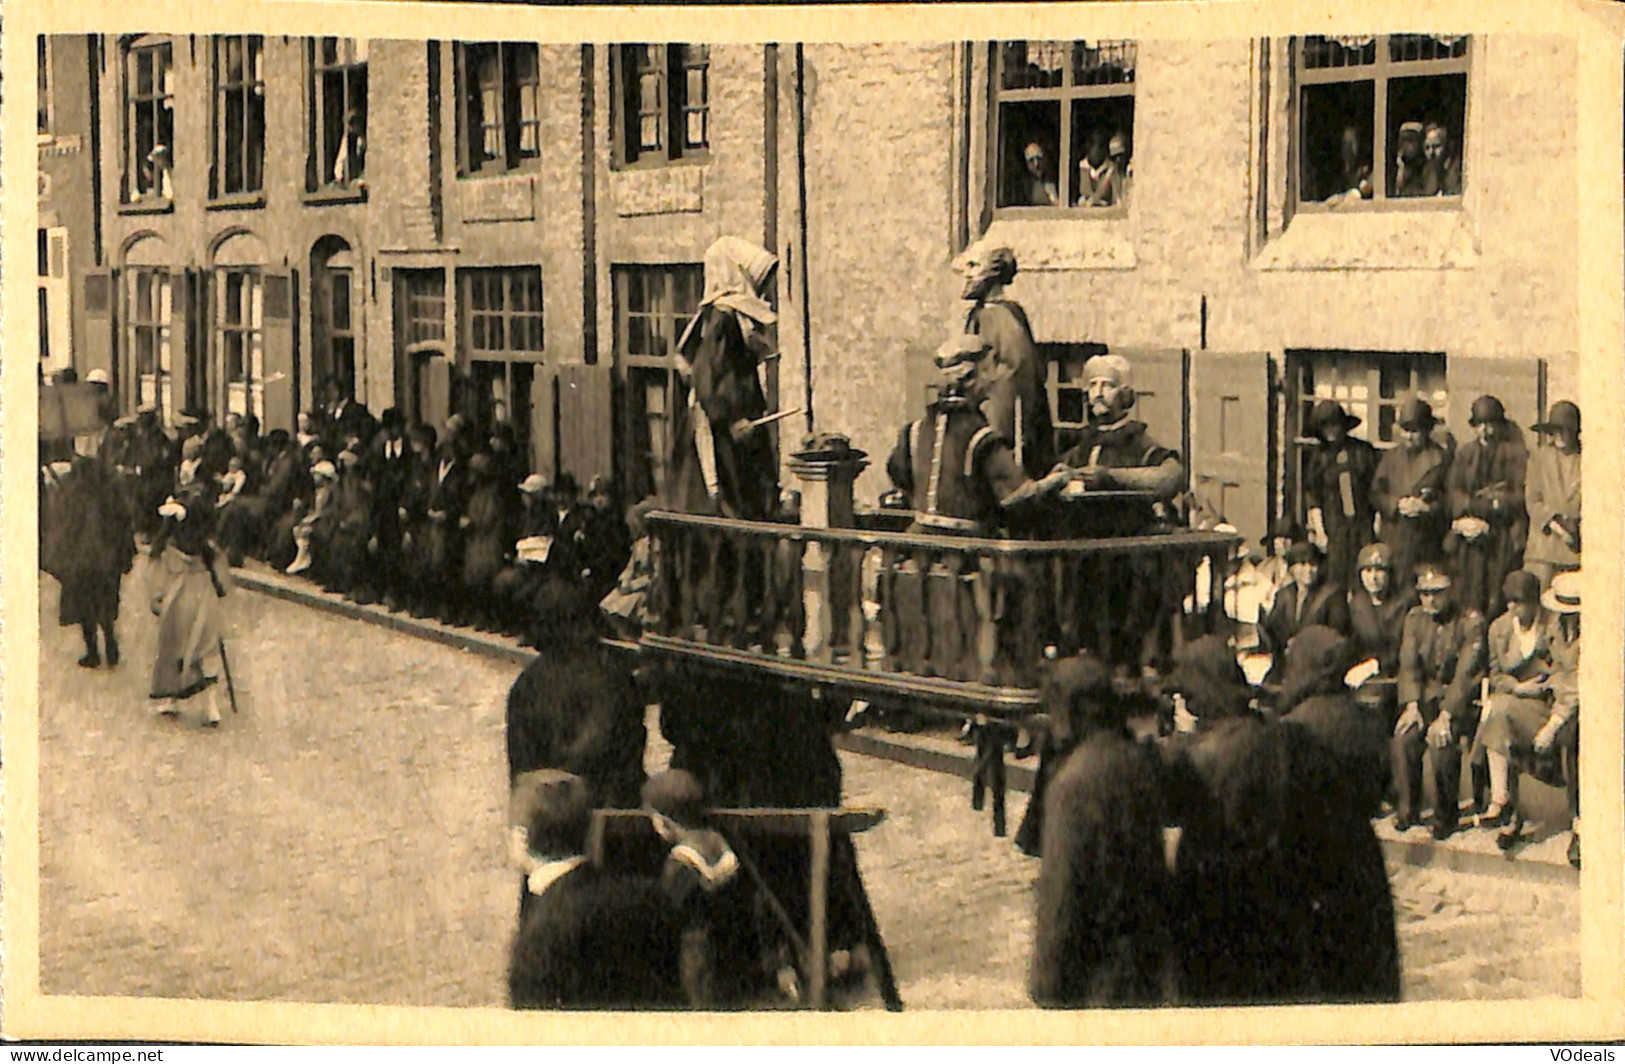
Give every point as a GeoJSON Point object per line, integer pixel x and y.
{"type": "Point", "coordinates": [1468, 852]}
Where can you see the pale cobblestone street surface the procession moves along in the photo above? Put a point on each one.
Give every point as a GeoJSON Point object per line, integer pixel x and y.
{"type": "Point", "coordinates": [340, 841]}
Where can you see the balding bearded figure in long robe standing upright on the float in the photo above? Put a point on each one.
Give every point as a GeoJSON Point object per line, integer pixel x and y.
{"type": "Point", "coordinates": [1012, 374]}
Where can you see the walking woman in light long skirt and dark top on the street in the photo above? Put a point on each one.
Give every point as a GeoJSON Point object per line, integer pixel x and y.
{"type": "Point", "coordinates": [191, 582]}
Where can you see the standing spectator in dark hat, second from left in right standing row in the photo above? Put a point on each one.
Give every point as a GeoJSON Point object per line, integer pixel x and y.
{"type": "Point", "coordinates": [1410, 493]}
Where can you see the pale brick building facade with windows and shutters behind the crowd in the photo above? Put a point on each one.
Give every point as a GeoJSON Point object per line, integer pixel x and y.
{"type": "Point", "coordinates": [516, 228]}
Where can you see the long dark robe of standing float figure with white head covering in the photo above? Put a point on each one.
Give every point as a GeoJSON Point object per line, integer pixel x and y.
{"type": "Point", "coordinates": [727, 389]}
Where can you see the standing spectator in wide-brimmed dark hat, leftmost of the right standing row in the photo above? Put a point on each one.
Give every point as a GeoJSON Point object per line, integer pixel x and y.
{"type": "Point", "coordinates": [1338, 491]}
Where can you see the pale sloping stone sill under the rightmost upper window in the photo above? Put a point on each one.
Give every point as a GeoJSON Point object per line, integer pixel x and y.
{"type": "Point", "coordinates": [1374, 240]}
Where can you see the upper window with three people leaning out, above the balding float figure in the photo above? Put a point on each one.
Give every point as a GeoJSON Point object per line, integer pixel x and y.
{"type": "Point", "coordinates": [1064, 123]}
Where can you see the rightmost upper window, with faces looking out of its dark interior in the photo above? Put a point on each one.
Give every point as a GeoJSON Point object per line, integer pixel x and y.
{"type": "Point", "coordinates": [1380, 118]}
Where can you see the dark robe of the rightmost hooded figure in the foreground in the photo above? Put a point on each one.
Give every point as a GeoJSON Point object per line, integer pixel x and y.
{"type": "Point", "coordinates": [1281, 891]}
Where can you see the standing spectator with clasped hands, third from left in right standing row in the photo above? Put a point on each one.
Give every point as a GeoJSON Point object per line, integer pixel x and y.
{"type": "Point", "coordinates": [1491, 524]}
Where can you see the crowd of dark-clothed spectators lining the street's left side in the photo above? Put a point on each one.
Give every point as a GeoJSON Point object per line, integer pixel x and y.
{"type": "Point", "coordinates": [441, 526]}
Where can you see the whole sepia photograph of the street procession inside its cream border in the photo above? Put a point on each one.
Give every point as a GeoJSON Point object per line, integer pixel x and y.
{"type": "Point", "coordinates": [810, 526]}
